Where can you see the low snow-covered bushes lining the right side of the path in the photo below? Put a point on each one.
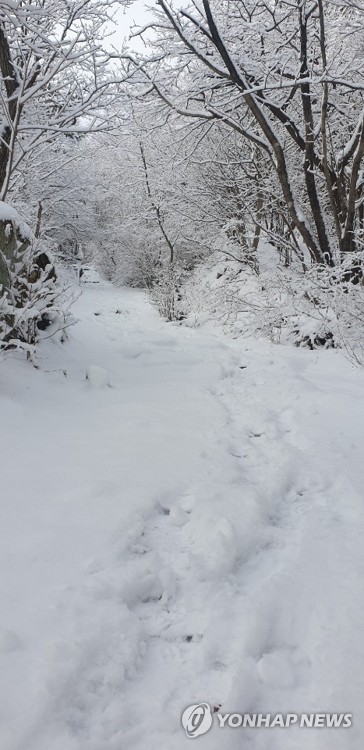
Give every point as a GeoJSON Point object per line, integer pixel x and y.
{"type": "Point", "coordinates": [315, 308]}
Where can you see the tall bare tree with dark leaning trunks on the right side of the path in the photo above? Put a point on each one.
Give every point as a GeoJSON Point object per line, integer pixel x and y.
{"type": "Point", "coordinates": [271, 72]}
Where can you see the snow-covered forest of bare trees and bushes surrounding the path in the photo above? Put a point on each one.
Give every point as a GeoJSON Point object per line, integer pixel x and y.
{"type": "Point", "coordinates": [220, 132]}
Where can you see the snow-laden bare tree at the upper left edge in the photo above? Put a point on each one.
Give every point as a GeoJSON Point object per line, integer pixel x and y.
{"type": "Point", "coordinates": [55, 75]}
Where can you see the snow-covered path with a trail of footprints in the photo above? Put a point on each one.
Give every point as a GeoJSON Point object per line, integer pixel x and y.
{"type": "Point", "coordinates": [184, 524]}
